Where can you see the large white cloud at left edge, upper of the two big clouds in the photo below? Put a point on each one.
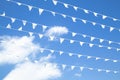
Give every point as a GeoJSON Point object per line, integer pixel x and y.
{"type": "Point", "coordinates": [15, 49]}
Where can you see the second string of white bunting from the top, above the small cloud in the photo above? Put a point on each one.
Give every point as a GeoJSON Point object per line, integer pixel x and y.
{"type": "Point", "coordinates": [74, 19]}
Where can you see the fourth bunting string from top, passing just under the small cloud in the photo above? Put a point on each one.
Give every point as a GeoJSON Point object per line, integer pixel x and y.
{"type": "Point", "coordinates": [61, 40]}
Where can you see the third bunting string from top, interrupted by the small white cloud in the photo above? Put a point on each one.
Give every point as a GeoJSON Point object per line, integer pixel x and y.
{"type": "Point", "coordinates": [44, 27]}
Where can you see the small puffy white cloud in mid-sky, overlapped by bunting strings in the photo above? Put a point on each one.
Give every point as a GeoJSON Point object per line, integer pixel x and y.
{"type": "Point", "coordinates": [56, 31]}
